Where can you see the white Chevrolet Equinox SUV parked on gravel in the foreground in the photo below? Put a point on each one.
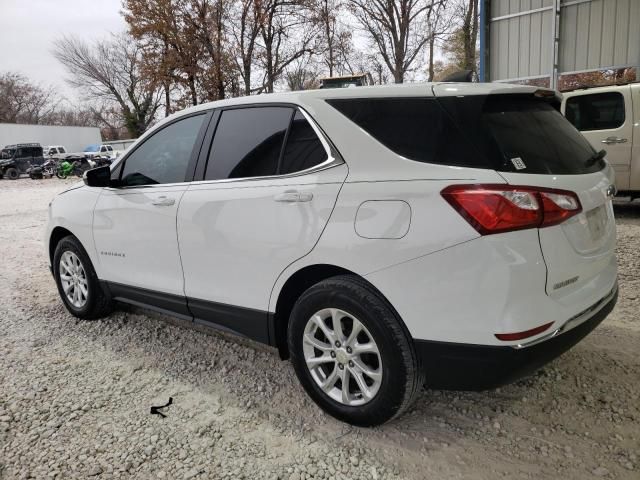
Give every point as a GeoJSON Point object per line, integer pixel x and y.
{"type": "Point", "coordinates": [453, 235]}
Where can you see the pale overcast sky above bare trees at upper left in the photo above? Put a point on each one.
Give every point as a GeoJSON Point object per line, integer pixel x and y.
{"type": "Point", "coordinates": [29, 28]}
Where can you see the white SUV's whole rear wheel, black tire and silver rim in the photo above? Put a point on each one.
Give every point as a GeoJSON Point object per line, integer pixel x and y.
{"type": "Point", "coordinates": [351, 352]}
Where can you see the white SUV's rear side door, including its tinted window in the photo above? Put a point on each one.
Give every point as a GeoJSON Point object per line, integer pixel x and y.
{"type": "Point", "coordinates": [269, 188]}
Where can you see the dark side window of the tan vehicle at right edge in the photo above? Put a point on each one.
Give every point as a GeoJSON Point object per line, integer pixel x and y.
{"type": "Point", "coordinates": [596, 111]}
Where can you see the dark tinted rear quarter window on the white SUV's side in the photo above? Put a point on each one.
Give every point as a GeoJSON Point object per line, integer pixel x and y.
{"type": "Point", "coordinates": [415, 128]}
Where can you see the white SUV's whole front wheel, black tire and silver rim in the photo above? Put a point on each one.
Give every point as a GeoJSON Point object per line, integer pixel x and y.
{"type": "Point", "coordinates": [77, 281]}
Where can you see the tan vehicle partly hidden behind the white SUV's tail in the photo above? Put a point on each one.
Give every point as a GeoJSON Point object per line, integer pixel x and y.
{"type": "Point", "coordinates": [609, 117]}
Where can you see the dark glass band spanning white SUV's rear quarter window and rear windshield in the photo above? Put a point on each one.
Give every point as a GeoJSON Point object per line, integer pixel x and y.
{"type": "Point", "coordinates": [509, 133]}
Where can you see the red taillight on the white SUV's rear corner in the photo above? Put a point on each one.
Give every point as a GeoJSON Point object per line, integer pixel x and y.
{"type": "Point", "coordinates": [504, 208]}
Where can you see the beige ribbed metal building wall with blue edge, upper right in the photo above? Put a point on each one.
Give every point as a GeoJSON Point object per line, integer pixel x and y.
{"type": "Point", "coordinates": [540, 40]}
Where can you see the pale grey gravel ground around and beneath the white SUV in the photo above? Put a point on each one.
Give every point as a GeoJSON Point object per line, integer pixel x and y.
{"type": "Point", "coordinates": [75, 396]}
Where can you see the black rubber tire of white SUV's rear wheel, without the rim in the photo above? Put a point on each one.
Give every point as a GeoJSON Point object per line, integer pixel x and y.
{"type": "Point", "coordinates": [401, 379]}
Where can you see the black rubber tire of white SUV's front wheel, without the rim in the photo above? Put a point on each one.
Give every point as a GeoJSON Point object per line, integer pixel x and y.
{"type": "Point", "coordinates": [98, 301]}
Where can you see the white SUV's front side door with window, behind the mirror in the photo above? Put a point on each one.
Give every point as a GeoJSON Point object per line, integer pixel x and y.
{"type": "Point", "coordinates": [135, 224]}
